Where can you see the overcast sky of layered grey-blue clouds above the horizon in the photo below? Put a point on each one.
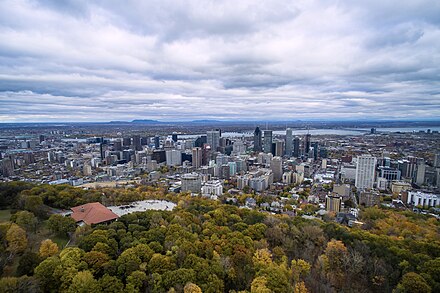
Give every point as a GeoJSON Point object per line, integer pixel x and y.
{"type": "Point", "coordinates": [241, 59]}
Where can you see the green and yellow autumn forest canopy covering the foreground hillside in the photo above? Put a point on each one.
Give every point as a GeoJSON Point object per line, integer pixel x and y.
{"type": "Point", "coordinates": [206, 246]}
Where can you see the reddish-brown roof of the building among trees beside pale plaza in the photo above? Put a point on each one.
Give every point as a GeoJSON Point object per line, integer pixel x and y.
{"type": "Point", "coordinates": [92, 213]}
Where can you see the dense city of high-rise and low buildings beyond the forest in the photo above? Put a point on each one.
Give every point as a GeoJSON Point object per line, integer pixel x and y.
{"type": "Point", "coordinates": [335, 173]}
